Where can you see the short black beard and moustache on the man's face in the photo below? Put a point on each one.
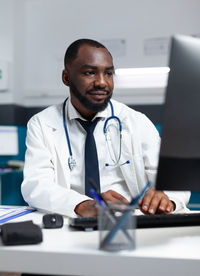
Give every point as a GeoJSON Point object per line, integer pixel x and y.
{"type": "Point", "coordinates": [94, 107]}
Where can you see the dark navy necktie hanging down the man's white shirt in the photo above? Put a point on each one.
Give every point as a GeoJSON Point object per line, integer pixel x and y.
{"type": "Point", "coordinates": [91, 158]}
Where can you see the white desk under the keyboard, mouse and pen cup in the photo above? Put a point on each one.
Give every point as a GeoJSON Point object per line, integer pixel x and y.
{"type": "Point", "coordinates": [163, 252]}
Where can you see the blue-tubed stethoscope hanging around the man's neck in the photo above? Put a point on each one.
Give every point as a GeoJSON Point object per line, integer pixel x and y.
{"type": "Point", "coordinates": [72, 161]}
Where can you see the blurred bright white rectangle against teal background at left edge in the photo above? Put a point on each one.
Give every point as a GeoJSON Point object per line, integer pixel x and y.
{"type": "Point", "coordinates": [8, 140]}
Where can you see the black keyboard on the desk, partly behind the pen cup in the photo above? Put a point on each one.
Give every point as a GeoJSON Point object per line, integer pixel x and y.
{"type": "Point", "coordinates": [144, 221]}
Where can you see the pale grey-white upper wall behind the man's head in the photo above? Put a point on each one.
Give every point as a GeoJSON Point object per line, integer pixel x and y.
{"type": "Point", "coordinates": [39, 31]}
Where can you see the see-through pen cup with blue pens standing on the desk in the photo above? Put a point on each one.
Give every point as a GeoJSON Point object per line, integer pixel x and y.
{"type": "Point", "coordinates": [116, 224]}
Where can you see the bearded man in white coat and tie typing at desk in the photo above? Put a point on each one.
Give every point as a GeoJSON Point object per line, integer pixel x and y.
{"type": "Point", "coordinates": [127, 145]}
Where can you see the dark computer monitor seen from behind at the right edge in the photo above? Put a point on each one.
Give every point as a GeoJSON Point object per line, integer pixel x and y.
{"type": "Point", "coordinates": [179, 161]}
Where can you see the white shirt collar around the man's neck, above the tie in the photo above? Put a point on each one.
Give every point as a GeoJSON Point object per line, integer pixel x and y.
{"type": "Point", "coordinates": [74, 114]}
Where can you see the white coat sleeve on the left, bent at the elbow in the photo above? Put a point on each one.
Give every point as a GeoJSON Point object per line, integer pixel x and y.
{"type": "Point", "coordinates": [40, 188]}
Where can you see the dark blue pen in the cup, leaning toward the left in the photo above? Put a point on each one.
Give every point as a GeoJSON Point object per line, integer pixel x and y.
{"type": "Point", "coordinates": [100, 200]}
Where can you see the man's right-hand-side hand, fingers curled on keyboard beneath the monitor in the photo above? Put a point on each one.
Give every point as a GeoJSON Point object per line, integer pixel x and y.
{"type": "Point", "coordinates": [156, 202]}
